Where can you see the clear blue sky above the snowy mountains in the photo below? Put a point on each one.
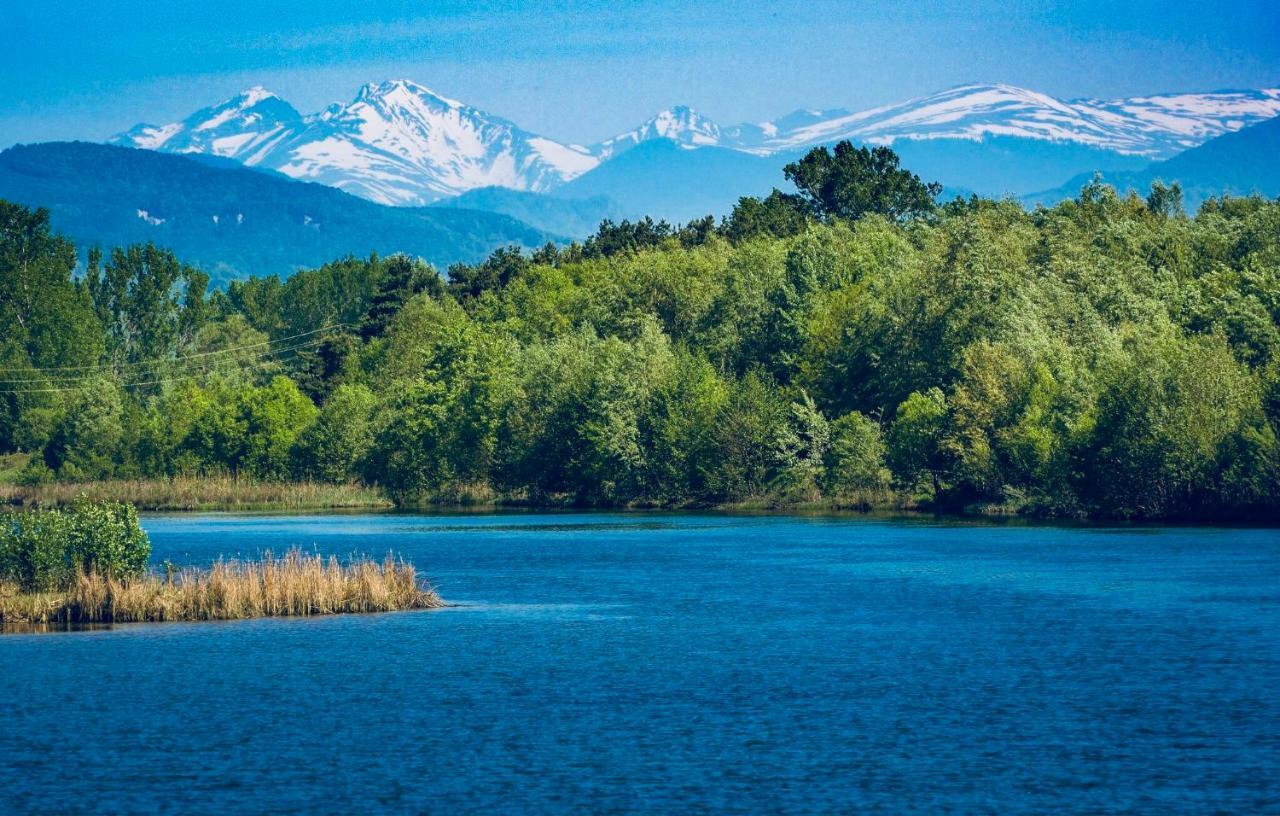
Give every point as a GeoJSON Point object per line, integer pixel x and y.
{"type": "Point", "coordinates": [583, 71]}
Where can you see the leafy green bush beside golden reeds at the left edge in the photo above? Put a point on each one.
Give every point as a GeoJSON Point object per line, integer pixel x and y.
{"type": "Point", "coordinates": [45, 551]}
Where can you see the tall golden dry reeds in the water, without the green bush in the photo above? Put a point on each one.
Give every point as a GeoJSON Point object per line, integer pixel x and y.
{"type": "Point", "coordinates": [294, 585]}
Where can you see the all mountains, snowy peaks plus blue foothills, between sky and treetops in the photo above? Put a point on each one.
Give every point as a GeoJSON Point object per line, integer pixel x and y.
{"type": "Point", "coordinates": [252, 186]}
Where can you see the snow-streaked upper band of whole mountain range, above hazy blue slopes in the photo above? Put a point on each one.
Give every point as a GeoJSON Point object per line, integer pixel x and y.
{"type": "Point", "coordinates": [401, 143]}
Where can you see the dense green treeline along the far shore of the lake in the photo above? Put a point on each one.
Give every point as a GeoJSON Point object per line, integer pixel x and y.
{"type": "Point", "coordinates": [849, 342]}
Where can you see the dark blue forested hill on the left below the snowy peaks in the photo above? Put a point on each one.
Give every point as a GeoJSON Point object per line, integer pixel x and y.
{"type": "Point", "coordinates": [231, 221]}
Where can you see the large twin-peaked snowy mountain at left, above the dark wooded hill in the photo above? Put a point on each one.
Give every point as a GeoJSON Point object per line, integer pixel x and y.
{"type": "Point", "coordinates": [397, 143]}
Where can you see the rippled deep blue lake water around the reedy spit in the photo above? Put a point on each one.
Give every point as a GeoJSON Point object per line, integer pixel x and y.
{"type": "Point", "coordinates": [675, 664]}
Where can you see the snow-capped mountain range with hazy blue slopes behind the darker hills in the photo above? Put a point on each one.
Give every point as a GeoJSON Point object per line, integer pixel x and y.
{"type": "Point", "coordinates": [401, 144]}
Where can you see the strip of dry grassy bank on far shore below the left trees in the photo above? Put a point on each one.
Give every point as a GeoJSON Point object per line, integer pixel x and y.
{"type": "Point", "coordinates": [216, 493]}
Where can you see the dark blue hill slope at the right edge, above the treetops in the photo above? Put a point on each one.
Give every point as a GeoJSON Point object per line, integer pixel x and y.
{"type": "Point", "coordinates": [1241, 163]}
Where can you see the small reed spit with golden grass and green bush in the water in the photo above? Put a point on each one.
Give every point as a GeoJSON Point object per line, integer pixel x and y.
{"type": "Point", "coordinates": [89, 565]}
